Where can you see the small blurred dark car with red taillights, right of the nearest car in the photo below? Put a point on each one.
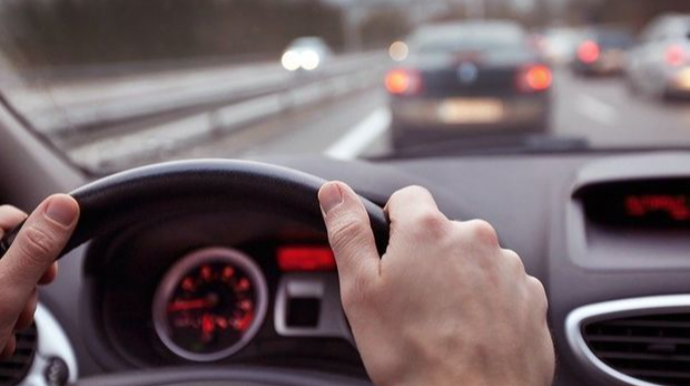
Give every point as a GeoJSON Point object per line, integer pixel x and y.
{"type": "Point", "coordinates": [602, 51]}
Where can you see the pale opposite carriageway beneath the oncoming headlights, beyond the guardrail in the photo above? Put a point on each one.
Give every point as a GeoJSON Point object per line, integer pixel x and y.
{"type": "Point", "coordinates": [60, 110]}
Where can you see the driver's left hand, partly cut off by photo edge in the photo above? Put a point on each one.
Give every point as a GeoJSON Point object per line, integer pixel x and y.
{"type": "Point", "coordinates": [31, 261]}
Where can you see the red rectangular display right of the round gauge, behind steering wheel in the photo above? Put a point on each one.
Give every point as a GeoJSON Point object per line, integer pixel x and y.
{"type": "Point", "coordinates": [305, 258]}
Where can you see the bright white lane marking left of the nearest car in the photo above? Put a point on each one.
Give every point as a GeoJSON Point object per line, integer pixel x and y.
{"type": "Point", "coordinates": [361, 136]}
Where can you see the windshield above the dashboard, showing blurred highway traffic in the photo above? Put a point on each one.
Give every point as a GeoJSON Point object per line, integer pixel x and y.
{"type": "Point", "coordinates": [116, 84]}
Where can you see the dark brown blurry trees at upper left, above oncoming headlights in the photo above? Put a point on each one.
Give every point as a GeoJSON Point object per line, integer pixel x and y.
{"type": "Point", "coordinates": [76, 32]}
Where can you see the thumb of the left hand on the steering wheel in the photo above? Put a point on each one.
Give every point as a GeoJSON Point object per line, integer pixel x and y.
{"type": "Point", "coordinates": [36, 247]}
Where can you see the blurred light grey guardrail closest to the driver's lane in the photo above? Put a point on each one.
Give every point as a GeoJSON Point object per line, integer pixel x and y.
{"type": "Point", "coordinates": [122, 150]}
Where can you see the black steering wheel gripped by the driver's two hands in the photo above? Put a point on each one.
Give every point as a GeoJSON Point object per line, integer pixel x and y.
{"type": "Point", "coordinates": [144, 193]}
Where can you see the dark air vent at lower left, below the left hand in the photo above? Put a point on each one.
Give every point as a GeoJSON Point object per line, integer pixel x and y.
{"type": "Point", "coordinates": [14, 369]}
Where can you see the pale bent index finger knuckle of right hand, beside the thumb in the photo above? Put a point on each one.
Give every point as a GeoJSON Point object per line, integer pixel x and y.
{"type": "Point", "coordinates": [413, 209]}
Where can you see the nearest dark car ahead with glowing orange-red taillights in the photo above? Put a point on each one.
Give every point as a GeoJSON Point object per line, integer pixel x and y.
{"type": "Point", "coordinates": [468, 78]}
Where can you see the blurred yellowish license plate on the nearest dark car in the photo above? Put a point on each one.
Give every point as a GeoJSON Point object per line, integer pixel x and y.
{"type": "Point", "coordinates": [471, 111]}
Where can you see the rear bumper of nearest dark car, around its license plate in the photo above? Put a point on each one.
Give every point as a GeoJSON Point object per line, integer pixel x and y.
{"type": "Point", "coordinates": [463, 114]}
